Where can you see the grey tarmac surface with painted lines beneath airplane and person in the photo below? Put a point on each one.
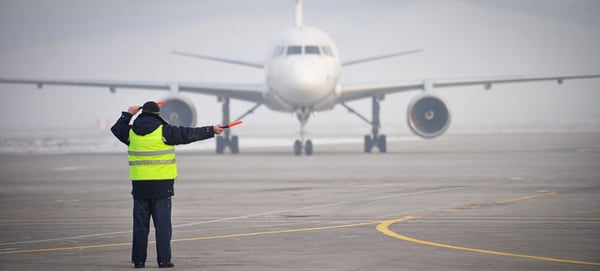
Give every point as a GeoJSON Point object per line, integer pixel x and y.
{"type": "Point", "coordinates": [472, 202]}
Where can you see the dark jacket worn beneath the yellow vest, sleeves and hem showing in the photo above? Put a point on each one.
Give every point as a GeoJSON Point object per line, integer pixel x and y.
{"type": "Point", "coordinates": [146, 123]}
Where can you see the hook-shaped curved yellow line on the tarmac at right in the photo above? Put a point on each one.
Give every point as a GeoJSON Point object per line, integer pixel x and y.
{"type": "Point", "coordinates": [384, 227]}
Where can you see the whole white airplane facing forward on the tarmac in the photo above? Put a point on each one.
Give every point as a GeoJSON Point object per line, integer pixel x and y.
{"type": "Point", "coordinates": [302, 76]}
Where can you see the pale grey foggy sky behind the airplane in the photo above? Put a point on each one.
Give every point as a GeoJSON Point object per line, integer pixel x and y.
{"type": "Point", "coordinates": [132, 40]}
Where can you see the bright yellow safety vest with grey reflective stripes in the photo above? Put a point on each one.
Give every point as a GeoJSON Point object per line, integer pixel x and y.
{"type": "Point", "coordinates": [150, 158]}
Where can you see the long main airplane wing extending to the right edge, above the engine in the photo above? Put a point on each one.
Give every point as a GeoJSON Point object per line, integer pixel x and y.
{"type": "Point", "coordinates": [355, 92]}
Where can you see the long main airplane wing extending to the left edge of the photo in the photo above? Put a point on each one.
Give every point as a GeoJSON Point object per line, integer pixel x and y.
{"type": "Point", "coordinates": [246, 92]}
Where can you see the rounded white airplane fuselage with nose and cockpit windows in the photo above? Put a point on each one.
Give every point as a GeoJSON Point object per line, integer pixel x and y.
{"type": "Point", "coordinates": [302, 71]}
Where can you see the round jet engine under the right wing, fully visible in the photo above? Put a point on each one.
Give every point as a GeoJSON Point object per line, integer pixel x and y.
{"type": "Point", "coordinates": [428, 116]}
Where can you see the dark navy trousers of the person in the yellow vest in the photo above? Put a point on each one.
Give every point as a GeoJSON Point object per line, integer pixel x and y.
{"type": "Point", "coordinates": [160, 211]}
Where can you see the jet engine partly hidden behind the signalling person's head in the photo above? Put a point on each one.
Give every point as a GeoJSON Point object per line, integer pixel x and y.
{"type": "Point", "coordinates": [178, 111]}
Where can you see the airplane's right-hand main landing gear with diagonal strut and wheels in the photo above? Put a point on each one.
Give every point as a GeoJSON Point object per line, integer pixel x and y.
{"type": "Point", "coordinates": [374, 140]}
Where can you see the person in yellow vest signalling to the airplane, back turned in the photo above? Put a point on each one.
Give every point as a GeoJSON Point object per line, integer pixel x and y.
{"type": "Point", "coordinates": [153, 170]}
